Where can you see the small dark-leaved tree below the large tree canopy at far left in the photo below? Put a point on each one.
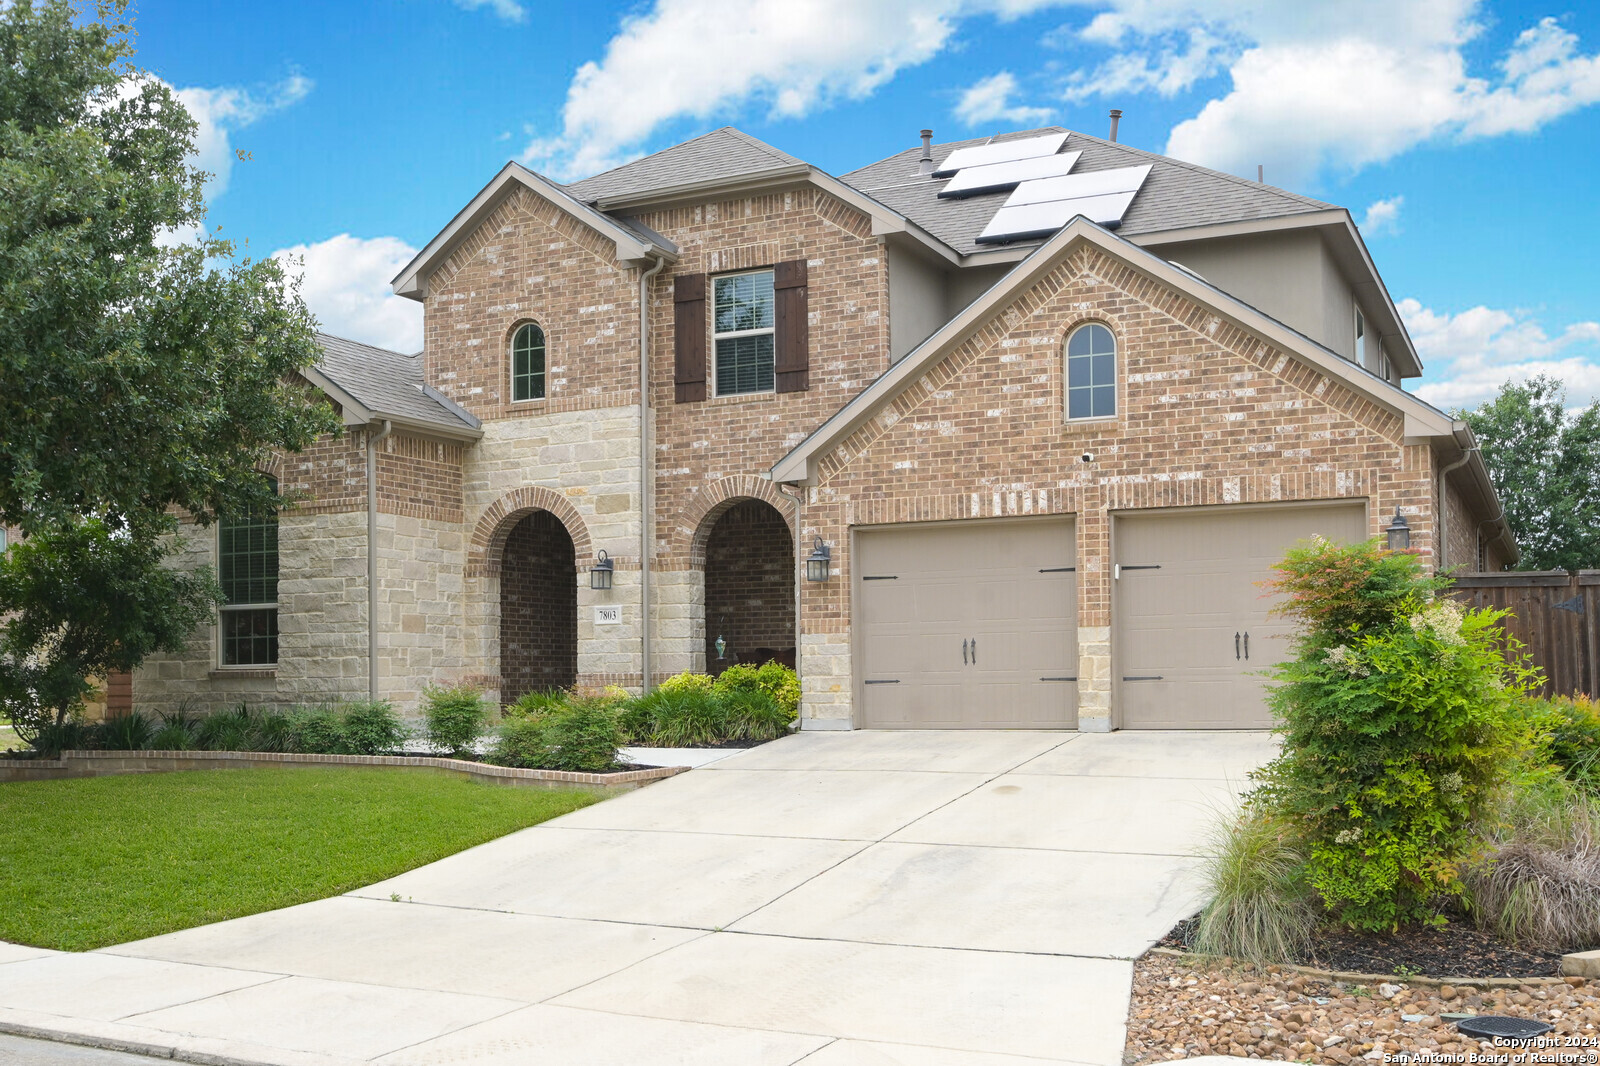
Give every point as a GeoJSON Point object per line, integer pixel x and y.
{"type": "Point", "coordinates": [87, 601]}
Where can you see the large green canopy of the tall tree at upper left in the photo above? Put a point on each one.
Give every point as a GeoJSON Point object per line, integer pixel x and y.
{"type": "Point", "coordinates": [137, 371]}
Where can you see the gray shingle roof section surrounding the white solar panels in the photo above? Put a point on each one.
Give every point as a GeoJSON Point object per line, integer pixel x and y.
{"type": "Point", "coordinates": [1175, 196]}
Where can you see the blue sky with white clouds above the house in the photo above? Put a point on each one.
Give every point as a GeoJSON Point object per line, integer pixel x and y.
{"type": "Point", "coordinates": [1463, 135]}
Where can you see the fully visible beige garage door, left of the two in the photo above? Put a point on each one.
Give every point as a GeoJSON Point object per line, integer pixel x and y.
{"type": "Point", "coordinates": [969, 625]}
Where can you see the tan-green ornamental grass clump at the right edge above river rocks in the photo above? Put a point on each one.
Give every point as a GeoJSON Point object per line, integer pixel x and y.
{"type": "Point", "coordinates": [1538, 884]}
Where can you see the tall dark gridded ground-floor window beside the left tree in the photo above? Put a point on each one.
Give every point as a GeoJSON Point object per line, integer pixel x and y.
{"type": "Point", "coordinates": [249, 574]}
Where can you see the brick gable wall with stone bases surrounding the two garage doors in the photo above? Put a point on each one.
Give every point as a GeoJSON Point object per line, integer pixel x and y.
{"type": "Point", "coordinates": [1207, 415]}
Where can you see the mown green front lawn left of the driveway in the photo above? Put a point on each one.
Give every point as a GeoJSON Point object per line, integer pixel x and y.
{"type": "Point", "coordinates": [95, 862]}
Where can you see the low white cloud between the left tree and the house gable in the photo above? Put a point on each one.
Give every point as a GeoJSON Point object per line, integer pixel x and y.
{"type": "Point", "coordinates": [346, 286]}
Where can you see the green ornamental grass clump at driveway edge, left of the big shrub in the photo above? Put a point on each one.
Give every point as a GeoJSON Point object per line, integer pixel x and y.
{"type": "Point", "coordinates": [1262, 908]}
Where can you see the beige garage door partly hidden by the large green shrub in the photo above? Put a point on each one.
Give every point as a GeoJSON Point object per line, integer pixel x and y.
{"type": "Point", "coordinates": [1193, 628]}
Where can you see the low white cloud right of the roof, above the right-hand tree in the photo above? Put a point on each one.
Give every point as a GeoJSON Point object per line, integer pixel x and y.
{"type": "Point", "coordinates": [1471, 355]}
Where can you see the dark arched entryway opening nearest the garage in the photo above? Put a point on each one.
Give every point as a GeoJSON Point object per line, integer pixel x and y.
{"type": "Point", "coordinates": [750, 587]}
